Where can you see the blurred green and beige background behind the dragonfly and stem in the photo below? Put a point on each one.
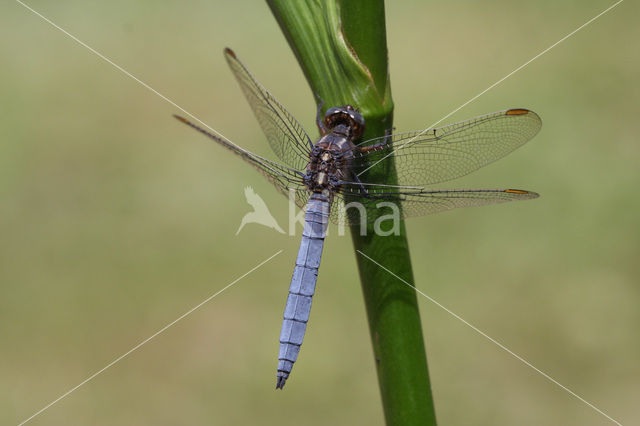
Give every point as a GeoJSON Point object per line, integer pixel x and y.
{"type": "Point", "coordinates": [115, 219]}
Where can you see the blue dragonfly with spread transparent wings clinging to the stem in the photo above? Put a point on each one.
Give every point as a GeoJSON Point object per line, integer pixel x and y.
{"type": "Point", "coordinates": [324, 177]}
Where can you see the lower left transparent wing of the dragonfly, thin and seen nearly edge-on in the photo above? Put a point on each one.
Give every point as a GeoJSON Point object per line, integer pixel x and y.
{"type": "Point", "coordinates": [284, 178]}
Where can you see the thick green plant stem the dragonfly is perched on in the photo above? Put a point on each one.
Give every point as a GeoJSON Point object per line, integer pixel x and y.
{"type": "Point", "coordinates": [341, 47]}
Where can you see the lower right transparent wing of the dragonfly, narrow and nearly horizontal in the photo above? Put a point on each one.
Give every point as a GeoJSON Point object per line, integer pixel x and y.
{"type": "Point", "coordinates": [411, 201]}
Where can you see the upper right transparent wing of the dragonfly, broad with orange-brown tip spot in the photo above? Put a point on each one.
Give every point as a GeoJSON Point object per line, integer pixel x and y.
{"type": "Point", "coordinates": [445, 153]}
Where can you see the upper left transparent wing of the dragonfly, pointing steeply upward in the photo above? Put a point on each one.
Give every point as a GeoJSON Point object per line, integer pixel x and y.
{"type": "Point", "coordinates": [286, 136]}
